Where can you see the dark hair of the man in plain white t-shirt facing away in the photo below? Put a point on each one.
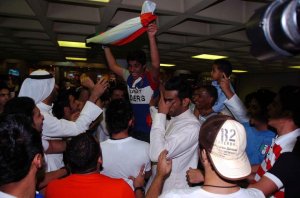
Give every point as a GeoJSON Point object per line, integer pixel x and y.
{"type": "Point", "coordinates": [117, 115]}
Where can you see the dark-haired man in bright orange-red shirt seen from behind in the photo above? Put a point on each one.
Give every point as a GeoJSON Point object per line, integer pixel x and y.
{"type": "Point", "coordinates": [83, 157]}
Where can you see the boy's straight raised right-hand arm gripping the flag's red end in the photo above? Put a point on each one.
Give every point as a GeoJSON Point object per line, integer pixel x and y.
{"type": "Point", "coordinates": [155, 60]}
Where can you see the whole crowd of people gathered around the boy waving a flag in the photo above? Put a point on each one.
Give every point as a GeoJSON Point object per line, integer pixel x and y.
{"type": "Point", "coordinates": [142, 137]}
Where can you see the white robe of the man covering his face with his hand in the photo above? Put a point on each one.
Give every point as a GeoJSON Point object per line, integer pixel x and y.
{"type": "Point", "coordinates": [179, 137]}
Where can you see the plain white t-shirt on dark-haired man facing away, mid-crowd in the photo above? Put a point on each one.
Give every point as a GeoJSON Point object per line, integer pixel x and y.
{"type": "Point", "coordinates": [125, 157]}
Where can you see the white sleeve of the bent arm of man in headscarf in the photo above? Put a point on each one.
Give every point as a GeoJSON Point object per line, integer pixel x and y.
{"type": "Point", "coordinates": [53, 127]}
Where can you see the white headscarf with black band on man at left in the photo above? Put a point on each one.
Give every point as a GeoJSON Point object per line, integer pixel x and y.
{"type": "Point", "coordinates": [38, 85]}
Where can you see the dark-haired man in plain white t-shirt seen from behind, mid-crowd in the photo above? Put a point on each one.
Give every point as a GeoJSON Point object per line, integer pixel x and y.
{"type": "Point", "coordinates": [123, 156]}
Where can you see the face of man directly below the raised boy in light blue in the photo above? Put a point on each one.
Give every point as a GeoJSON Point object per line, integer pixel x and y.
{"type": "Point", "coordinates": [202, 99]}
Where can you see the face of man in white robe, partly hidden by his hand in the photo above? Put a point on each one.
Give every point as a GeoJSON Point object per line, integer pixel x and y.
{"type": "Point", "coordinates": [177, 106]}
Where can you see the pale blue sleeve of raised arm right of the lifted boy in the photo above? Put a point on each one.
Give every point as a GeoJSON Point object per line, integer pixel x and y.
{"type": "Point", "coordinates": [237, 108]}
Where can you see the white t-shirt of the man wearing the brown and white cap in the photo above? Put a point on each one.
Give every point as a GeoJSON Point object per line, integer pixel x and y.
{"type": "Point", "coordinates": [197, 192]}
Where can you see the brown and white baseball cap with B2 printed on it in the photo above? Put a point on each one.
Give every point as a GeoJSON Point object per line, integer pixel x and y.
{"type": "Point", "coordinates": [224, 140]}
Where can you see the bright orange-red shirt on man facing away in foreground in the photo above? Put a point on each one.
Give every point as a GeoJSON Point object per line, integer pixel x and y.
{"type": "Point", "coordinates": [89, 185]}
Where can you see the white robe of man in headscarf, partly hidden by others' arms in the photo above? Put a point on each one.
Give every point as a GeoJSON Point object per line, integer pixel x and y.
{"type": "Point", "coordinates": [56, 128]}
